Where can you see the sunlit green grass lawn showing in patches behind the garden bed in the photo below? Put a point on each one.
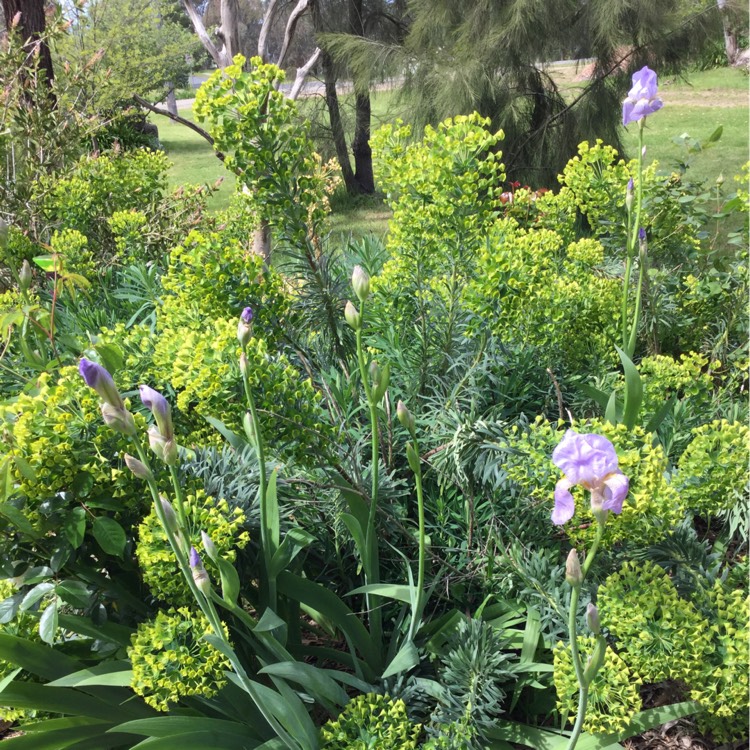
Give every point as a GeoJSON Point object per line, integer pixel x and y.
{"type": "Point", "coordinates": [696, 104]}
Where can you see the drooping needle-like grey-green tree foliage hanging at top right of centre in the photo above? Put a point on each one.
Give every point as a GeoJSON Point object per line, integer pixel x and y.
{"type": "Point", "coordinates": [490, 56]}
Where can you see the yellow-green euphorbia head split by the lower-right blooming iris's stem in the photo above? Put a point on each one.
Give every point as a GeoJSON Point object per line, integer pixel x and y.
{"type": "Point", "coordinates": [613, 697]}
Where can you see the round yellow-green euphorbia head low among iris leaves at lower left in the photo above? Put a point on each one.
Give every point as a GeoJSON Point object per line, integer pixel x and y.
{"type": "Point", "coordinates": [172, 660]}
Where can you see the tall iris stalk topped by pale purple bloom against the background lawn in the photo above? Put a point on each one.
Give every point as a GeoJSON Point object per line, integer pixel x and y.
{"type": "Point", "coordinates": [642, 100]}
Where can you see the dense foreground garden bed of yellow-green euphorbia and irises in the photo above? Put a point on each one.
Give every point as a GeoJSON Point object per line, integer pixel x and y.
{"type": "Point", "coordinates": [309, 503]}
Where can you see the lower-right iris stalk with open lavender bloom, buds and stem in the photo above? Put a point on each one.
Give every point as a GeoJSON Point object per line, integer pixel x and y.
{"type": "Point", "coordinates": [589, 461]}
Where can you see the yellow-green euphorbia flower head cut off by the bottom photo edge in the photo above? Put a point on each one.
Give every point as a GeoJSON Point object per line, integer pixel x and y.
{"type": "Point", "coordinates": [371, 721]}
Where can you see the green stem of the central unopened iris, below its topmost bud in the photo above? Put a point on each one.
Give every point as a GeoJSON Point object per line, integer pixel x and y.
{"type": "Point", "coordinates": [371, 563]}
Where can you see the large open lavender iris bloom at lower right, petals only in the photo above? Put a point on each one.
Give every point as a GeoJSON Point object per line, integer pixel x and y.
{"type": "Point", "coordinates": [591, 462]}
